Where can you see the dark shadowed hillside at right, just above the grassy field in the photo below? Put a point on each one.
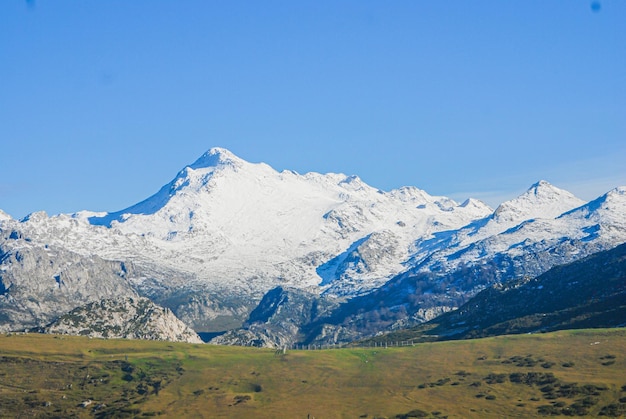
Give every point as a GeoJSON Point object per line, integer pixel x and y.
{"type": "Point", "coordinates": [589, 293]}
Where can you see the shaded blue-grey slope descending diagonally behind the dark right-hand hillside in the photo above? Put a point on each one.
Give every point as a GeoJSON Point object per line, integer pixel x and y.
{"type": "Point", "coordinates": [450, 274]}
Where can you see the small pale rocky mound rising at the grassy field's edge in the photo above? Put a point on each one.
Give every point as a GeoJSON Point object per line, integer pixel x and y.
{"type": "Point", "coordinates": [127, 318]}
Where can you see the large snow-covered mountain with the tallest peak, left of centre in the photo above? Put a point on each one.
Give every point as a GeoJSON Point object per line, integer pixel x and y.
{"type": "Point", "coordinates": [228, 223]}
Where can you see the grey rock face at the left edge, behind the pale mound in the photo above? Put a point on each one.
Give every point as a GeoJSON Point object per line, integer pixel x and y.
{"type": "Point", "coordinates": [38, 283]}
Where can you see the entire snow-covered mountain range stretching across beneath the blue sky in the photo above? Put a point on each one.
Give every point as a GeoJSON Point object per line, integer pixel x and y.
{"type": "Point", "coordinates": [224, 231]}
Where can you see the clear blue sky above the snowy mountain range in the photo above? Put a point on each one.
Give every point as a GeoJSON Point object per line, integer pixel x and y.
{"type": "Point", "coordinates": [103, 102]}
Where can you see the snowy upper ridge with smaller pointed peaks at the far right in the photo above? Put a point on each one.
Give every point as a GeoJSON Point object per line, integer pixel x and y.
{"type": "Point", "coordinates": [543, 219]}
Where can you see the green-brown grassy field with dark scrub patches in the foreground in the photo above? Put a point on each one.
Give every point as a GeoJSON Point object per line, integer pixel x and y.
{"type": "Point", "coordinates": [564, 373]}
